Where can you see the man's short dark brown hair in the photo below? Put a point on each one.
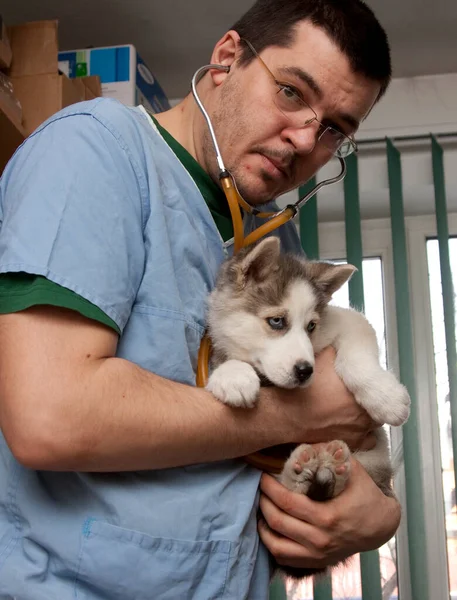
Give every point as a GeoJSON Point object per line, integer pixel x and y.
{"type": "Point", "coordinates": [350, 24]}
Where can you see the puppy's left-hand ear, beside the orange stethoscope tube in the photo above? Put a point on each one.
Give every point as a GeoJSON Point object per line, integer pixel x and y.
{"type": "Point", "coordinates": [257, 262]}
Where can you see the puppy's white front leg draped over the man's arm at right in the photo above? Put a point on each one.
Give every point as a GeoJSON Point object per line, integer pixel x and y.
{"type": "Point", "coordinates": [357, 363]}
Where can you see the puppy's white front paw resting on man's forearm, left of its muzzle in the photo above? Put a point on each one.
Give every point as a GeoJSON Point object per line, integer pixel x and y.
{"type": "Point", "coordinates": [235, 383]}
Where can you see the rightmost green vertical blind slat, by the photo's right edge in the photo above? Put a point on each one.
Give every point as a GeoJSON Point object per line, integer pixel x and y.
{"type": "Point", "coordinates": [447, 287]}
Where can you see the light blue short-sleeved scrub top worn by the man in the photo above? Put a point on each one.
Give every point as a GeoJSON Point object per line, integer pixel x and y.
{"type": "Point", "coordinates": [96, 201]}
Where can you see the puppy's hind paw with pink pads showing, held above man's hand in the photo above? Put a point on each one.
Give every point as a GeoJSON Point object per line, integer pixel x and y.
{"type": "Point", "coordinates": [319, 471]}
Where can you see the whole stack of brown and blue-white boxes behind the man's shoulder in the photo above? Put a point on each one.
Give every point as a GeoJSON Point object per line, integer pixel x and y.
{"type": "Point", "coordinates": [36, 80]}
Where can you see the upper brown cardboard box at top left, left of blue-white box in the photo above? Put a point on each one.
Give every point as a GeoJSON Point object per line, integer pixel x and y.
{"type": "Point", "coordinates": [35, 47]}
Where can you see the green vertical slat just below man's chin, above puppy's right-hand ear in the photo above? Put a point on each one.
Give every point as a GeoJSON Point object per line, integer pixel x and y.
{"type": "Point", "coordinates": [309, 236]}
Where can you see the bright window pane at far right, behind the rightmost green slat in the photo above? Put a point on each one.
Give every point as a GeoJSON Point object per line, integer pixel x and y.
{"type": "Point", "coordinates": [442, 396]}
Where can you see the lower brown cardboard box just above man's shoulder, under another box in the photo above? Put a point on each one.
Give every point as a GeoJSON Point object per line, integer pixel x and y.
{"type": "Point", "coordinates": [41, 96]}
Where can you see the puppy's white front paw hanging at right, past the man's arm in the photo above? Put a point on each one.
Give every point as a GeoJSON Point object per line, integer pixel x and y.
{"type": "Point", "coordinates": [385, 399]}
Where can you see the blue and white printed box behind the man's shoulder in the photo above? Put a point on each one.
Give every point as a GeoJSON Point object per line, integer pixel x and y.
{"type": "Point", "coordinates": [122, 72]}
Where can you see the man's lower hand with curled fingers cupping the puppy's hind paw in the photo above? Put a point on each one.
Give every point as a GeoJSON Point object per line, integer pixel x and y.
{"type": "Point", "coordinates": [300, 532]}
